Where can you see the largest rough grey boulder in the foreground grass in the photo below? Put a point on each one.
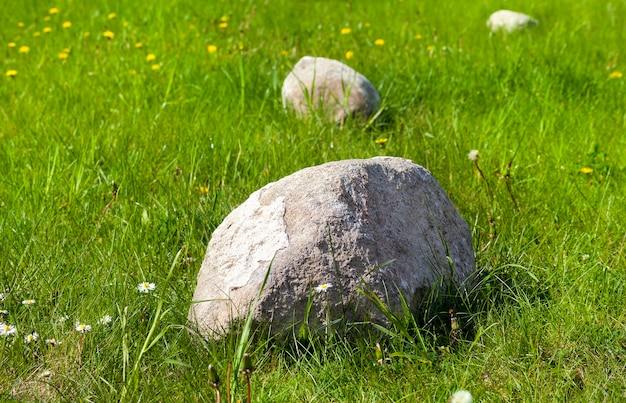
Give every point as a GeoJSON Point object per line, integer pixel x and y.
{"type": "Point", "coordinates": [332, 224]}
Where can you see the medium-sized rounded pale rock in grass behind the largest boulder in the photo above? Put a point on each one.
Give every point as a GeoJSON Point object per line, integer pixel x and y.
{"type": "Point", "coordinates": [330, 87]}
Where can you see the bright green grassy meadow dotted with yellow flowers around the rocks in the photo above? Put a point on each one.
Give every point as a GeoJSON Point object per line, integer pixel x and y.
{"type": "Point", "coordinates": [129, 130]}
